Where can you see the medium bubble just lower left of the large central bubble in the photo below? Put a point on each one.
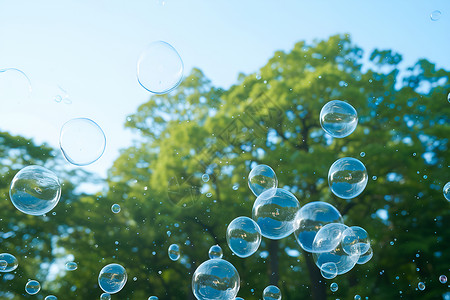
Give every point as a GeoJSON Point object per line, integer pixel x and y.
{"type": "Point", "coordinates": [243, 236]}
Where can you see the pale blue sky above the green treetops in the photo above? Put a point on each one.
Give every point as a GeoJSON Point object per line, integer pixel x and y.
{"type": "Point", "coordinates": [90, 48]}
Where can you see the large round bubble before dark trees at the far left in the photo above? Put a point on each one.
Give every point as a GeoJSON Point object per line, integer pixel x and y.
{"type": "Point", "coordinates": [35, 190]}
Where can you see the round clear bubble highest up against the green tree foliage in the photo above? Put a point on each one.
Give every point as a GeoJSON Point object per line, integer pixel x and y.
{"type": "Point", "coordinates": [338, 118]}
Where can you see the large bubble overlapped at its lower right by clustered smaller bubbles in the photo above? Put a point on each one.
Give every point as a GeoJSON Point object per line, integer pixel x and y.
{"type": "Point", "coordinates": [311, 218]}
